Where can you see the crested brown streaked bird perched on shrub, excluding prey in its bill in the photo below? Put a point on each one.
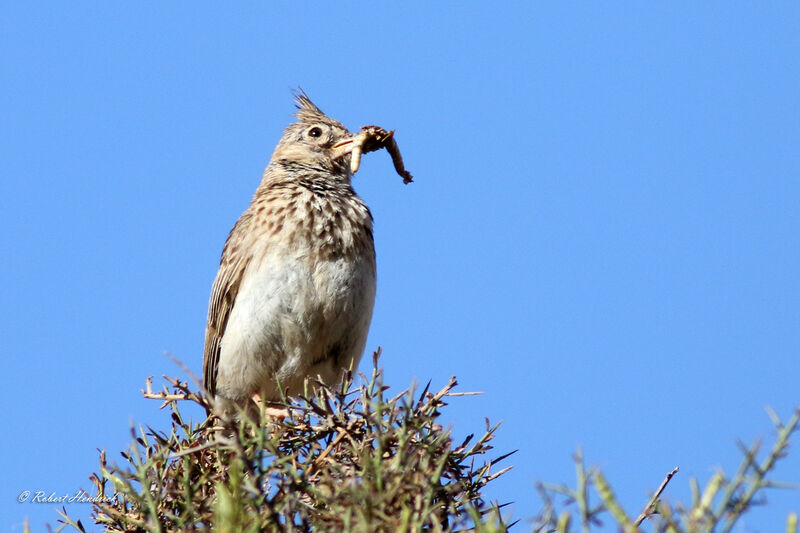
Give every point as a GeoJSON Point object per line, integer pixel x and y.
{"type": "Point", "coordinates": [294, 294]}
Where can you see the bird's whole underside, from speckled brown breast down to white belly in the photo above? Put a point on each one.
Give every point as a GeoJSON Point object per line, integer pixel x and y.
{"type": "Point", "coordinates": [306, 298]}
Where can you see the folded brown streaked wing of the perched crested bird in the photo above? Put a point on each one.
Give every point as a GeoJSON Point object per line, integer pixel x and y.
{"type": "Point", "coordinates": [233, 264]}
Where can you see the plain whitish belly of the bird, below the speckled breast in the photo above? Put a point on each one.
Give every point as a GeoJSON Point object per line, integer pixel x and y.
{"type": "Point", "coordinates": [293, 320]}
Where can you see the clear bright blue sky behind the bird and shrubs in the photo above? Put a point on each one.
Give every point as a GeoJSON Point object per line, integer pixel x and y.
{"type": "Point", "coordinates": [603, 233]}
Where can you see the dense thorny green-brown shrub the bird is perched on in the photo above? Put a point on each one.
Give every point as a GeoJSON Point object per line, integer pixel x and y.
{"type": "Point", "coordinates": [348, 459]}
